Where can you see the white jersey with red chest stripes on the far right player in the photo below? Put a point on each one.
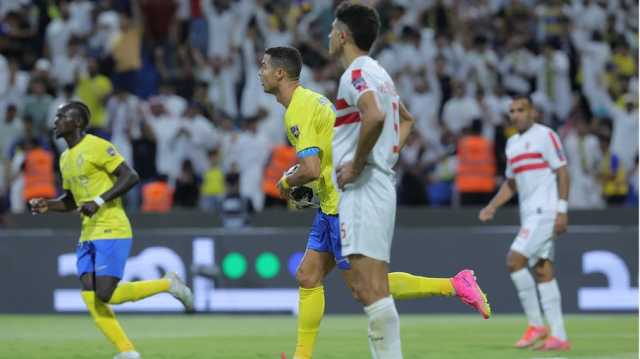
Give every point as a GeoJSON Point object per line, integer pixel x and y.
{"type": "Point", "coordinates": [532, 158]}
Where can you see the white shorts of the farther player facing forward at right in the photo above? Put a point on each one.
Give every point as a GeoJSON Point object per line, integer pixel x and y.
{"type": "Point", "coordinates": [536, 238]}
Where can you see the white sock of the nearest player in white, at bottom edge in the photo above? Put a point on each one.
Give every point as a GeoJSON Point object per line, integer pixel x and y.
{"type": "Point", "coordinates": [384, 329]}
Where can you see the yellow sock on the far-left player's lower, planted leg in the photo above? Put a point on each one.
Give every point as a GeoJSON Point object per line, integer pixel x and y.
{"type": "Point", "coordinates": [107, 322]}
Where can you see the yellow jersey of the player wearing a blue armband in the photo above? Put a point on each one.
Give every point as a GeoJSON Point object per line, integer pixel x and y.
{"type": "Point", "coordinates": [309, 121]}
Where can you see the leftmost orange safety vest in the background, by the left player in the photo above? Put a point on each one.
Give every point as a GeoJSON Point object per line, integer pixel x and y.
{"type": "Point", "coordinates": [39, 180]}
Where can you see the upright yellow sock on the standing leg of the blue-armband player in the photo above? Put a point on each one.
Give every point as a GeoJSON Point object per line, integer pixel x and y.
{"type": "Point", "coordinates": [310, 312]}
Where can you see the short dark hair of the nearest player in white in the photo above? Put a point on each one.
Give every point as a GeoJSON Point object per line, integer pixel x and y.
{"type": "Point", "coordinates": [363, 23]}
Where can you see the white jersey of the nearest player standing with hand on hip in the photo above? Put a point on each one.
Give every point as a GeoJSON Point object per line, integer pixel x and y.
{"type": "Point", "coordinates": [364, 75]}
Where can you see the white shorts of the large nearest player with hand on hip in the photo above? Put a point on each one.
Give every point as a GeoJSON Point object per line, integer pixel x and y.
{"type": "Point", "coordinates": [368, 215]}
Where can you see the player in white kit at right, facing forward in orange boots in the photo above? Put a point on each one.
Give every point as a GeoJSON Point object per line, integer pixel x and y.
{"type": "Point", "coordinates": [537, 170]}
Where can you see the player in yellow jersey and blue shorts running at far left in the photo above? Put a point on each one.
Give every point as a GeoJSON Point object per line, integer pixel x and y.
{"type": "Point", "coordinates": [94, 177]}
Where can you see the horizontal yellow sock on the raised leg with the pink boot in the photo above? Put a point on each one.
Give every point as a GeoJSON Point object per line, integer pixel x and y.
{"type": "Point", "coordinates": [408, 286]}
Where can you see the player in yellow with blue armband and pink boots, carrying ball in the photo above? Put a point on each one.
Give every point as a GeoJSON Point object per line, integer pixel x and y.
{"type": "Point", "coordinates": [309, 121]}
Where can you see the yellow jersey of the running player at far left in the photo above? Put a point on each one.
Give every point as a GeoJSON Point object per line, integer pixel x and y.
{"type": "Point", "coordinates": [87, 171]}
